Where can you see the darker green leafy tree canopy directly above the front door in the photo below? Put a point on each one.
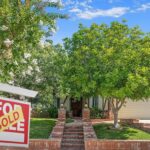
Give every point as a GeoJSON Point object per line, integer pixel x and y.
{"type": "Point", "coordinates": [82, 67]}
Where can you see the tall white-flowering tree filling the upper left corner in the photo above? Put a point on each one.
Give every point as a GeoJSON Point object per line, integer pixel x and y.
{"type": "Point", "coordinates": [23, 24]}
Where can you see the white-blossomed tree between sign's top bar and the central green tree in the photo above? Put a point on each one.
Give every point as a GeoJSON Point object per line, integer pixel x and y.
{"type": "Point", "coordinates": [45, 74]}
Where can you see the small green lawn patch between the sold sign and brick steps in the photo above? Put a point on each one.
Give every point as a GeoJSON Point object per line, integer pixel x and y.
{"type": "Point", "coordinates": [40, 128]}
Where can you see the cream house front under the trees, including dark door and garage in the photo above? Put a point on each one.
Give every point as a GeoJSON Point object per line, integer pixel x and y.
{"type": "Point", "coordinates": [134, 110]}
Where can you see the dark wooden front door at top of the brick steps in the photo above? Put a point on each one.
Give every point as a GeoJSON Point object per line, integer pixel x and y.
{"type": "Point", "coordinates": [76, 107]}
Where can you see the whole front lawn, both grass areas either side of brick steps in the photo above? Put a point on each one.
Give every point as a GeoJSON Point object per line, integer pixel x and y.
{"type": "Point", "coordinates": [40, 128]}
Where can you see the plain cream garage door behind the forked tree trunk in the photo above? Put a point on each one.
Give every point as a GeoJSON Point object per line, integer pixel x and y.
{"type": "Point", "coordinates": [135, 110]}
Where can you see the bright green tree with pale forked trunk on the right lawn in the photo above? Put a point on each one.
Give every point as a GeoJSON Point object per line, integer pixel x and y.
{"type": "Point", "coordinates": [121, 55]}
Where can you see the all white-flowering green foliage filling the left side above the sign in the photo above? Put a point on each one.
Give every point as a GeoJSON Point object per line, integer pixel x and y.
{"type": "Point", "coordinates": [26, 59]}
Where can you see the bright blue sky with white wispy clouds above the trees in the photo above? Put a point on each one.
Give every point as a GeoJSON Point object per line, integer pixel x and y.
{"type": "Point", "coordinates": [136, 12]}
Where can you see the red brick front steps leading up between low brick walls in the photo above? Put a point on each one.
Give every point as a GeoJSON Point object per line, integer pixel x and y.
{"type": "Point", "coordinates": [73, 138]}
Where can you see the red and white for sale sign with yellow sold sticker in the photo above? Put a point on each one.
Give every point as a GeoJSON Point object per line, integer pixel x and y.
{"type": "Point", "coordinates": [14, 122]}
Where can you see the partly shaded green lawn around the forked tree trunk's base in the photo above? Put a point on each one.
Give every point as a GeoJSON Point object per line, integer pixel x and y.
{"type": "Point", "coordinates": [104, 131]}
